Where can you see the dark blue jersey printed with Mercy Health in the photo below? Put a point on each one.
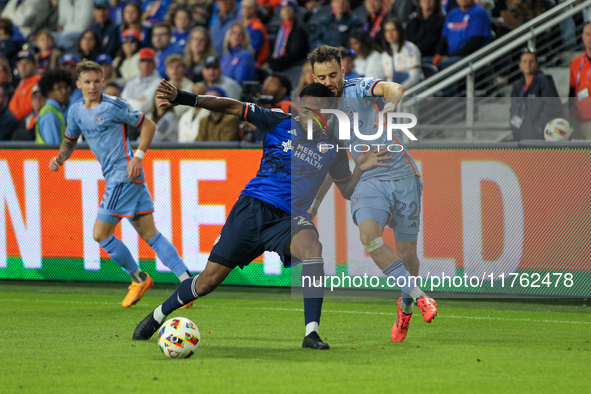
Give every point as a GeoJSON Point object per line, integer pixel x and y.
{"type": "Point", "coordinates": [292, 168]}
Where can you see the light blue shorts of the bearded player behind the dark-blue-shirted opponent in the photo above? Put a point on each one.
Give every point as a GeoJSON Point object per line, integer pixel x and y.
{"type": "Point", "coordinates": [396, 203]}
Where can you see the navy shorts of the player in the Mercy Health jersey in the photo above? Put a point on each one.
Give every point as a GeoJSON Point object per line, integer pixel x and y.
{"type": "Point", "coordinates": [253, 227]}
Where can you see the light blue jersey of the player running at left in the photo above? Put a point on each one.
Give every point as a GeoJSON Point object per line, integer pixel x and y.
{"type": "Point", "coordinates": [105, 129]}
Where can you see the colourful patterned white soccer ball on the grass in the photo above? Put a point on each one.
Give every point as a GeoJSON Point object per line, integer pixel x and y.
{"type": "Point", "coordinates": [178, 338]}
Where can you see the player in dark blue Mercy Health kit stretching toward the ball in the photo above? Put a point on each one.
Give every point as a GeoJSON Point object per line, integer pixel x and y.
{"type": "Point", "coordinates": [270, 214]}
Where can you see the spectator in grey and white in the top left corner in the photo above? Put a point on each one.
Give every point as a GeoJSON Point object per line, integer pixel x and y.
{"type": "Point", "coordinates": [29, 15]}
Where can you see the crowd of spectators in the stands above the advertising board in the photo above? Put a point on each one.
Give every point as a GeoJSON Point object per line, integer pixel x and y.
{"type": "Point", "coordinates": [245, 50]}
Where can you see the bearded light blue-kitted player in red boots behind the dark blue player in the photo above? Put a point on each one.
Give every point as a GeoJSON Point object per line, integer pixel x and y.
{"type": "Point", "coordinates": [384, 195]}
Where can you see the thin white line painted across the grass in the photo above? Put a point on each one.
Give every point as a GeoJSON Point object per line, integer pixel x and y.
{"type": "Point", "coordinates": [324, 311]}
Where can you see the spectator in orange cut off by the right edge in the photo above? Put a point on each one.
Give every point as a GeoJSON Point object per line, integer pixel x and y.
{"type": "Point", "coordinates": [580, 84]}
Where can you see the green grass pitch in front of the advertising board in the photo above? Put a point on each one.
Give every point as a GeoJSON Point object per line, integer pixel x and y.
{"type": "Point", "coordinates": [76, 338]}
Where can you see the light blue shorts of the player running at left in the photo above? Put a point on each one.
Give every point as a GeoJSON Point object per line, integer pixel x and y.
{"type": "Point", "coordinates": [125, 200]}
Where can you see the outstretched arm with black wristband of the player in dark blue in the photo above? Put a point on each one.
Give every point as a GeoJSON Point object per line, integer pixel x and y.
{"type": "Point", "coordinates": [175, 96]}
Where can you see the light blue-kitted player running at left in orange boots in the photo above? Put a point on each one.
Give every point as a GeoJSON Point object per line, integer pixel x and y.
{"type": "Point", "coordinates": [103, 121]}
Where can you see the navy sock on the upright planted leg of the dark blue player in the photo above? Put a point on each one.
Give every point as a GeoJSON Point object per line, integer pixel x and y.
{"type": "Point", "coordinates": [313, 291]}
